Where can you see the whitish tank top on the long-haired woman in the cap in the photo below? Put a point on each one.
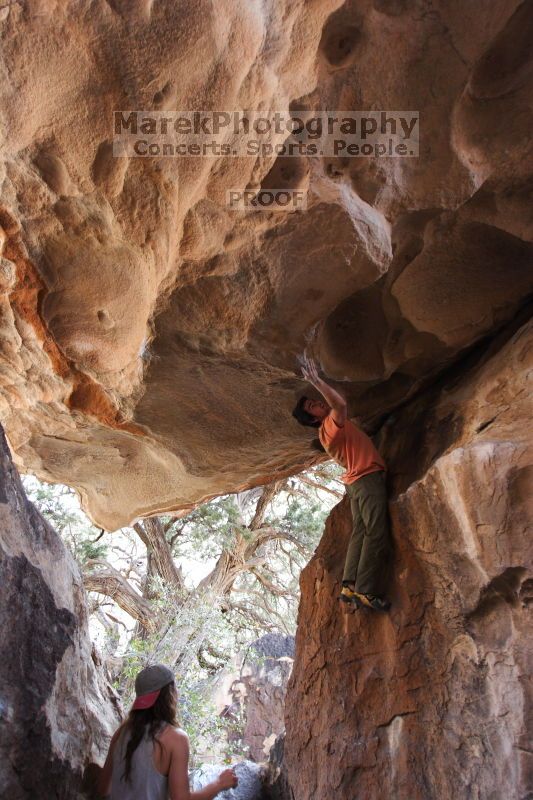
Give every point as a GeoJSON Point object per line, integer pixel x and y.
{"type": "Point", "coordinates": [146, 782]}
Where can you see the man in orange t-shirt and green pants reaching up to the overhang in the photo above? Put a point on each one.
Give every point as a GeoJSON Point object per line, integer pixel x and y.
{"type": "Point", "coordinates": [364, 476]}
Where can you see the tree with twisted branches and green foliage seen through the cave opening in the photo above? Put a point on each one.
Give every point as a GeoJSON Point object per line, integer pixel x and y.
{"type": "Point", "coordinates": [257, 542]}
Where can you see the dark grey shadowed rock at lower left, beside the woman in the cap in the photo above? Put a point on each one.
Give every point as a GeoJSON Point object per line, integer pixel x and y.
{"type": "Point", "coordinates": [56, 709]}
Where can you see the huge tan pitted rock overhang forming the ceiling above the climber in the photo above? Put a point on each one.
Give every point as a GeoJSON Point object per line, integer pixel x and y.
{"type": "Point", "coordinates": [148, 334]}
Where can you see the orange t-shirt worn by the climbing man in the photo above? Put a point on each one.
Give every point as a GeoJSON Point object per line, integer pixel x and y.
{"type": "Point", "coordinates": [351, 448]}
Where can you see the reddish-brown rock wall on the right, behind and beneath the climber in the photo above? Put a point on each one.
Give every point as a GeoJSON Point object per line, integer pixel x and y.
{"type": "Point", "coordinates": [432, 701]}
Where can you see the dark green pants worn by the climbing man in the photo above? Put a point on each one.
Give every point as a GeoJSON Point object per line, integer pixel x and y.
{"type": "Point", "coordinates": [370, 543]}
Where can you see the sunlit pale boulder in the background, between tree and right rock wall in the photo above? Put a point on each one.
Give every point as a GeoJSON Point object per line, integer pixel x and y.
{"type": "Point", "coordinates": [251, 695]}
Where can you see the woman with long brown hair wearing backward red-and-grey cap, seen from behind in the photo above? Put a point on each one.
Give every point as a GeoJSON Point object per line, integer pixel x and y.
{"type": "Point", "coordinates": [148, 755]}
